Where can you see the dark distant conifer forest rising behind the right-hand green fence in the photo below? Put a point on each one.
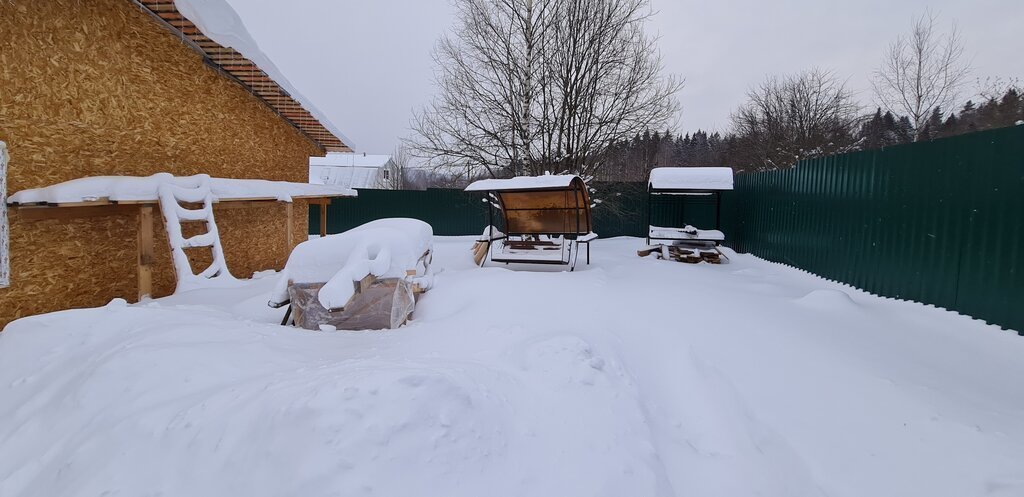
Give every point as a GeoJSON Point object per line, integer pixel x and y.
{"type": "Point", "coordinates": [632, 160]}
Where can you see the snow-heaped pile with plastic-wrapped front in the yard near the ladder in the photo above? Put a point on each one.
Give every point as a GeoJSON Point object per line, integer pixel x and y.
{"type": "Point", "coordinates": [367, 278]}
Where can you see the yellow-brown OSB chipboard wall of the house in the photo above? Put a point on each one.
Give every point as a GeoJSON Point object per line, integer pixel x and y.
{"type": "Point", "coordinates": [92, 88]}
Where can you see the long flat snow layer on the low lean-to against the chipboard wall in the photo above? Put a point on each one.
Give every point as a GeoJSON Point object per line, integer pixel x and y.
{"type": "Point", "coordinates": [144, 189]}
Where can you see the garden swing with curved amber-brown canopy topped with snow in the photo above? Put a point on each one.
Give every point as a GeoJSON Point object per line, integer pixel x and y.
{"type": "Point", "coordinates": [545, 221]}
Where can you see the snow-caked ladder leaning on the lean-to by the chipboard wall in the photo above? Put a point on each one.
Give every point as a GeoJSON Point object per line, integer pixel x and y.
{"type": "Point", "coordinates": [191, 191]}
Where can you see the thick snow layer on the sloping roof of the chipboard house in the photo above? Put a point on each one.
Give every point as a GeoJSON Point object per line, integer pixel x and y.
{"type": "Point", "coordinates": [222, 24]}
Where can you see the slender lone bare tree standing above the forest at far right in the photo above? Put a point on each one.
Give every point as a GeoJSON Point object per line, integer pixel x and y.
{"type": "Point", "coordinates": [922, 72]}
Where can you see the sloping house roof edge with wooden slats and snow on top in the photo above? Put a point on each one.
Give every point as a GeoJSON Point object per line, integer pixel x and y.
{"type": "Point", "coordinates": [262, 78]}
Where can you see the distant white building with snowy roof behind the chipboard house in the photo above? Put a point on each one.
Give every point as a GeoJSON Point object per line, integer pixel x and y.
{"type": "Point", "coordinates": [356, 171]}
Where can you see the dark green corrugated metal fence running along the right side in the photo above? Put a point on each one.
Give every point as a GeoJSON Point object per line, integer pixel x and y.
{"type": "Point", "coordinates": [940, 223]}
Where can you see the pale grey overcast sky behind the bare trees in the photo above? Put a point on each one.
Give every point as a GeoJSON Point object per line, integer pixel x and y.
{"type": "Point", "coordinates": [367, 64]}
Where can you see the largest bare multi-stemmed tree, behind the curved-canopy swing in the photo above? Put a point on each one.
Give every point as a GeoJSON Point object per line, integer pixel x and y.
{"type": "Point", "coordinates": [529, 87]}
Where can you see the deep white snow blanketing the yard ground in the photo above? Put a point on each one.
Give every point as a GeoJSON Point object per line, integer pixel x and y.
{"type": "Point", "coordinates": [629, 378]}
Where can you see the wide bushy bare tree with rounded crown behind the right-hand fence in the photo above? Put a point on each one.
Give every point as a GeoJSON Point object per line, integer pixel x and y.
{"type": "Point", "coordinates": [797, 117]}
